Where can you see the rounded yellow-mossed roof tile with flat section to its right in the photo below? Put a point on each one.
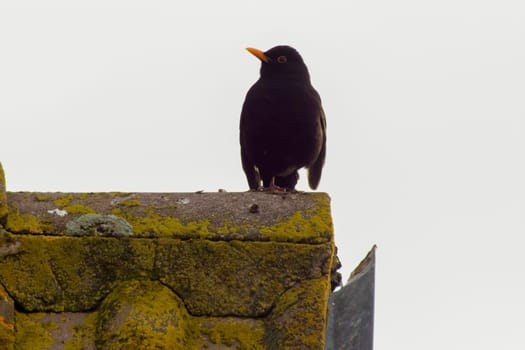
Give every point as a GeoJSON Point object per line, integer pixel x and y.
{"type": "Point", "coordinates": [144, 314]}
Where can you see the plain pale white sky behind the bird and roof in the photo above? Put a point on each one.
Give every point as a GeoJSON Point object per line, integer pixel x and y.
{"type": "Point", "coordinates": [426, 132]}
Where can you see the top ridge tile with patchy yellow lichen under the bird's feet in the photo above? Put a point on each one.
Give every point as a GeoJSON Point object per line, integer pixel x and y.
{"type": "Point", "coordinates": [301, 218]}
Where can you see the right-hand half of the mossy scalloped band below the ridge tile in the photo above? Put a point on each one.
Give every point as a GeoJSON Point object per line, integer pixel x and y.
{"type": "Point", "coordinates": [236, 278]}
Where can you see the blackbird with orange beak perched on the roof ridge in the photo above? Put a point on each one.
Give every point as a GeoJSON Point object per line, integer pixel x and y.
{"type": "Point", "coordinates": [283, 125]}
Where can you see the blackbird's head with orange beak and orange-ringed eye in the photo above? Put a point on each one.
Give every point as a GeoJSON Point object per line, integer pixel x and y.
{"type": "Point", "coordinates": [281, 61]}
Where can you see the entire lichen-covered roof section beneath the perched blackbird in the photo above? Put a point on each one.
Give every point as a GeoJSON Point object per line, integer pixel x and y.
{"type": "Point", "coordinates": [164, 270]}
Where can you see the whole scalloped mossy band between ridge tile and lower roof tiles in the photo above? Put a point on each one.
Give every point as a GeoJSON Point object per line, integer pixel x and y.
{"type": "Point", "coordinates": [74, 273]}
